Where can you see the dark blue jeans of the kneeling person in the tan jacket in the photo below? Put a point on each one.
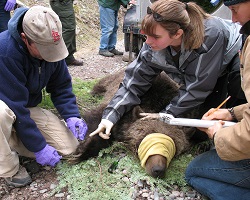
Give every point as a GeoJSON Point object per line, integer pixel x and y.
{"type": "Point", "coordinates": [218, 179]}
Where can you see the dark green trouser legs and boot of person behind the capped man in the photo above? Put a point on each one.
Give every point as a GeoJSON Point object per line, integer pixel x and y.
{"type": "Point", "coordinates": [65, 10]}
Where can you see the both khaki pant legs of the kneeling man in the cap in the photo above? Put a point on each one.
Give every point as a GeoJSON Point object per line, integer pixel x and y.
{"type": "Point", "coordinates": [53, 129]}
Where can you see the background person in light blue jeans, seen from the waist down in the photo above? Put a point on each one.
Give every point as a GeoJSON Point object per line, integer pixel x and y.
{"type": "Point", "coordinates": [109, 25]}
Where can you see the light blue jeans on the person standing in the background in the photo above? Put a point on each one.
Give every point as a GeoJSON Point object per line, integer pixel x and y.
{"type": "Point", "coordinates": [109, 26]}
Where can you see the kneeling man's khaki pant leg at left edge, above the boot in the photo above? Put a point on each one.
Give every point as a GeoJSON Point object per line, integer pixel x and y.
{"type": "Point", "coordinates": [9, 162]}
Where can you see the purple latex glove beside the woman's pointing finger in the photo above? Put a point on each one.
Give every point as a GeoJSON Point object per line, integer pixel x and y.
{"type": "Point", "coordinates": [78, 127]}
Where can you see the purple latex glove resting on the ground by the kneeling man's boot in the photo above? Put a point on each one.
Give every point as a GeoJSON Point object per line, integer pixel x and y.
{"type": "Point", "coordinates": [48, 156]}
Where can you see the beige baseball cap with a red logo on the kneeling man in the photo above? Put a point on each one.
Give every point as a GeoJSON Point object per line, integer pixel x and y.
{"type": "Point", "coordinates": [43, 26]}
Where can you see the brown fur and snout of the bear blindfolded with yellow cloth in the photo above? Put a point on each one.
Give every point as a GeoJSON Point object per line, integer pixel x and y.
{"type": "Point", "coordinates": [131, 128]}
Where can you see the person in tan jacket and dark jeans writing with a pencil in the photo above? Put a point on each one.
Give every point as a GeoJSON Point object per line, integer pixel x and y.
{"type": "Point", "coordinates": [224, 172]}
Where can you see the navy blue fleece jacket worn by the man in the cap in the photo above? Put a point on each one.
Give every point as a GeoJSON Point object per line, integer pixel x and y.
{"type": "Point", "coordinates": [22, 78]}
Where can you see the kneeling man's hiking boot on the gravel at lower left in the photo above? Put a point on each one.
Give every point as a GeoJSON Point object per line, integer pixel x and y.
{"type": "Point", "coordinates": [20, 179]}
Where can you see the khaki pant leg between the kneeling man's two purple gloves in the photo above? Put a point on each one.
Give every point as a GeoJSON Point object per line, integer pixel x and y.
{"type": "Point", "coordinates": [54, 131]}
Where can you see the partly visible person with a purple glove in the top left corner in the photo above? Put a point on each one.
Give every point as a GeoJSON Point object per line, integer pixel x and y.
{"type": "Point", "coordinates": [5, 8]}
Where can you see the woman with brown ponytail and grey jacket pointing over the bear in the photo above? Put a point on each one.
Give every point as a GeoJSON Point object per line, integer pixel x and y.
{"type": "Point", "coordinates": [192, 47]}
